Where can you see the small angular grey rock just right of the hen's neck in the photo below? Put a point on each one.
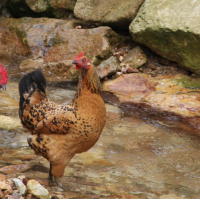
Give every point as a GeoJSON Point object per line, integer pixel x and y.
{"type": "Point", "coordinates": [108, 67]}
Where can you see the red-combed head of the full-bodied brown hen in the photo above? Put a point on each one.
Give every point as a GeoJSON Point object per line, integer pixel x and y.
{"type": "Point", "coordinates": [81, 61]}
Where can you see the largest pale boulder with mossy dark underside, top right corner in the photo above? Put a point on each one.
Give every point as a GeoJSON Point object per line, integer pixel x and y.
{"type": "Point", "coordinates": [171, 29]}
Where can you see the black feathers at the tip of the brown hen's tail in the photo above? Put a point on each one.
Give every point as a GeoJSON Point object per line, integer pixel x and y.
{"type": "Point", "coordinates": [28, 81]}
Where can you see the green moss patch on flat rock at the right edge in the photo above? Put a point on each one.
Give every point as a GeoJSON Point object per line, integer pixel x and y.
{"type": "Point", "coordinates": [189, 82]}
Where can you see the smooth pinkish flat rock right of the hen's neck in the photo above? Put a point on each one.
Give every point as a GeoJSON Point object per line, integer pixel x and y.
{"type": "Point", "coordinates": [129, 85]}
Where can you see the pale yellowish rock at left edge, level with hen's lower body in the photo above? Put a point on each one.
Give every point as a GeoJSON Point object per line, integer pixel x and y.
{"type": "Point", "coordinates": [9, 123]}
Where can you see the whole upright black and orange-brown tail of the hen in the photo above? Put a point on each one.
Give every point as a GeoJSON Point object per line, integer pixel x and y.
{"type": "Point", "coordinates": [32, 90]}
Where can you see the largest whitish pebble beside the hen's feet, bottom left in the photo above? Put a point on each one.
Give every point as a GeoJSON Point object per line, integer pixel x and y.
{"type": "Point", "coordinates": [37, 190]}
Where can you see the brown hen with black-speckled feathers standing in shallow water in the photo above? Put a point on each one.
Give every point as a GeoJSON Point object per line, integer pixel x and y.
{"type": "Point", "coordinates": [61, 131]}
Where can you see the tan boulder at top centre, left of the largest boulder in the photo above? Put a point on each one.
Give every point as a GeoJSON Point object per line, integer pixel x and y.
{"type": "Point", "coordinates": [113, 12]}
